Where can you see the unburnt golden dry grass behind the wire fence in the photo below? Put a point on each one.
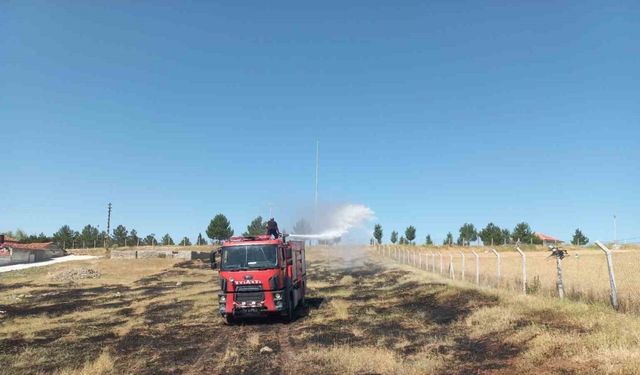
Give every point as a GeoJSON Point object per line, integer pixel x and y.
{"type": "Point", "coordinates": [584, 271]}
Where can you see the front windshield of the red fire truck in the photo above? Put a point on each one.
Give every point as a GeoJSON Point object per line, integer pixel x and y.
{"type": "Point", "coordinates": [249, 257]}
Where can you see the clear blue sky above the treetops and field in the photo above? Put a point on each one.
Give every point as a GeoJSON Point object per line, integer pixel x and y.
{"type": "Point", "coordinates": [431, 113]}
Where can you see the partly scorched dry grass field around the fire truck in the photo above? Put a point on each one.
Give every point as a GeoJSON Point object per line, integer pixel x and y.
{"type": "Point", "coordinates": [365, 315]}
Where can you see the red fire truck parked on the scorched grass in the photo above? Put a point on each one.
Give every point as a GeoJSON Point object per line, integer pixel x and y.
{"type": "Point", "coordinates": [261, 276]}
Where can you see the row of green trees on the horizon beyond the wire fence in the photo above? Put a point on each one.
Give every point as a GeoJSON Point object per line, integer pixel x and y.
{"type": "Point", "coordinates": [491, 234]}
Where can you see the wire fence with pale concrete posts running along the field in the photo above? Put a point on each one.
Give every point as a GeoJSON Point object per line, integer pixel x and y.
{"type": "Point", "coordinates": [582, 274]}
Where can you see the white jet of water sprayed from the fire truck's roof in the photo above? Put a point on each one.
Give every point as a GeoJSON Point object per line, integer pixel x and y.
{"type": "Point", "coordinates": [339, 221]}
